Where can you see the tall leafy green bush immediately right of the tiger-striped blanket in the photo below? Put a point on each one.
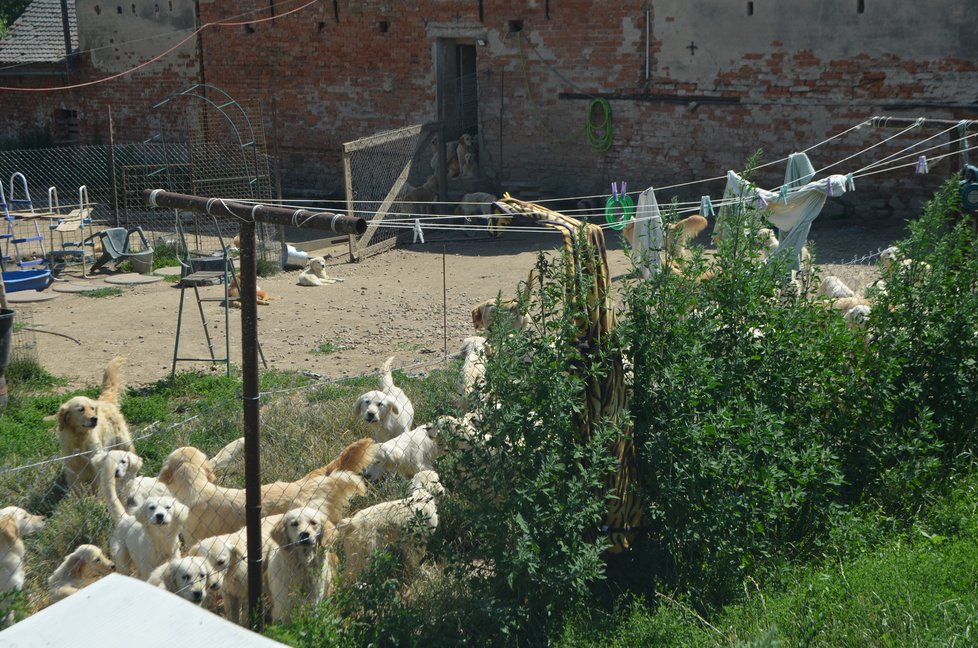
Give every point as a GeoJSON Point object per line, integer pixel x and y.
{"type": "Point", "coordinates": [738, 374]}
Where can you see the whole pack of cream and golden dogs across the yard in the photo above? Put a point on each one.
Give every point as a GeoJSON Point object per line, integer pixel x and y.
{"type": "Point", "coordinates": [183, 531]}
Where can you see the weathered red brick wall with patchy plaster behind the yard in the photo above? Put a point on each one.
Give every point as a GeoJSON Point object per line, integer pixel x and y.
{"type": "Point", "coordinates": [724, 79]}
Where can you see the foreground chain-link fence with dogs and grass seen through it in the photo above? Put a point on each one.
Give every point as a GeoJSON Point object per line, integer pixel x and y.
{"type": "Point", "coordinates": [348, 468]}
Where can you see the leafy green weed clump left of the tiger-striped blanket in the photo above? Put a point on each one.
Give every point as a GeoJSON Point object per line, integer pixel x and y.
{"type": "Point", "coordinates": [529, 495]}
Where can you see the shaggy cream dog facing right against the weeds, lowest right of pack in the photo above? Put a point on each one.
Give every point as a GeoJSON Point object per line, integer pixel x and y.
{"type": "Point", "coordinates": [392, 522]}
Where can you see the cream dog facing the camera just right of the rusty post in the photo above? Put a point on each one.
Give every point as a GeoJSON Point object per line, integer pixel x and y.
{"type": "Point", "coordinates": [300, 565]}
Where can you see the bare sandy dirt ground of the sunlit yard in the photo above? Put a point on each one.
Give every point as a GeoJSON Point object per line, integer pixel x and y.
{"type": "Point", "coordinates": [407, 302]}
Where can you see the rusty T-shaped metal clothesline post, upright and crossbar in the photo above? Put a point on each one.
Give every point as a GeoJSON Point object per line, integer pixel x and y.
{"type": "Point", "coordinates": [249, 215]}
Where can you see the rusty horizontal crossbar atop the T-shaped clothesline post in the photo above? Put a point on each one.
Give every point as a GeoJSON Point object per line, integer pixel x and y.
{"type": "Point", "coordinates": [339, 223]}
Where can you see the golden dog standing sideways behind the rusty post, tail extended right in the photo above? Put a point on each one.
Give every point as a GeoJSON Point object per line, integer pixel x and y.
{"type": "Point", "coordinates": [214, 510]}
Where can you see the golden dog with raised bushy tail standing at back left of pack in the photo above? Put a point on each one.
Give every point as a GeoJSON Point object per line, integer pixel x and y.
{"type": "Point", "coordinates": [86, 426]}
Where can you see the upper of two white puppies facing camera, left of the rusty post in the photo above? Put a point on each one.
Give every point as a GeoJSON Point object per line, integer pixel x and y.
{"type": "Point", "coordinates": [149, 537]}
